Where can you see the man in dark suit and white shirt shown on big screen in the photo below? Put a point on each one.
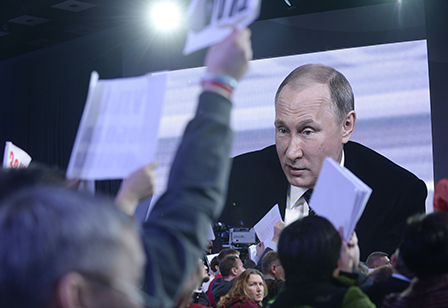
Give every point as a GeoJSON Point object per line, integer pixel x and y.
{"type": "Point", "coordinates": [314, 119]}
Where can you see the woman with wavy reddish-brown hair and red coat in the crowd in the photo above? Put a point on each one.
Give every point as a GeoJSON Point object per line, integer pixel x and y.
{"type": "Point", "coordinates": [247, 292]}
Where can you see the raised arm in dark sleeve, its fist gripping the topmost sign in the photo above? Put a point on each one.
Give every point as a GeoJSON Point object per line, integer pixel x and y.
{"type": "Point", "coordinates": [176, 230]}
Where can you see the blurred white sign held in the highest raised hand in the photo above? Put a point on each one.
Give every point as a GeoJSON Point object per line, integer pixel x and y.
{"type": "Point", "coordinates": [210, 21]}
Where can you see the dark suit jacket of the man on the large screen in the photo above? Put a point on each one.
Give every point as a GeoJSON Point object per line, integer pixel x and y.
{"type": "Point", "coordinates": [257, 183]}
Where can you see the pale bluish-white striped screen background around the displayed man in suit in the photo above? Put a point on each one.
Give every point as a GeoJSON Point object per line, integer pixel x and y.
{"type": "Point", "coordinates": [391, 87]}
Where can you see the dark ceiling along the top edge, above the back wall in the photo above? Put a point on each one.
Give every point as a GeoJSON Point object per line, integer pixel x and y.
{"type": "Point", "coordinates": [29, 25]}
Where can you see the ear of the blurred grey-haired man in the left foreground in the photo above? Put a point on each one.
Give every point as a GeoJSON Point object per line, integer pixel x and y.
{"type": "Point", "coordinates": [70, 290]}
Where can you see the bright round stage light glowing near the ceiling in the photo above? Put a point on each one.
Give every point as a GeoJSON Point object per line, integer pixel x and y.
{"type": "Point", "coordinates": [166, 16]}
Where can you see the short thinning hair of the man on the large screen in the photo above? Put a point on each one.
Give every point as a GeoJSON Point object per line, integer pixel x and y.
{"type": "Point", "coordinates": [340, 90]}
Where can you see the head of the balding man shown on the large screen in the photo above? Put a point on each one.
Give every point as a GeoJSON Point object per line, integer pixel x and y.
{"type": "Point", "coordinates": [314, 118]}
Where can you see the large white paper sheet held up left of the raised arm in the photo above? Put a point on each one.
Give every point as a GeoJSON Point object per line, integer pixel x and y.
{"type": "Point", "coordinates": [118, 129]}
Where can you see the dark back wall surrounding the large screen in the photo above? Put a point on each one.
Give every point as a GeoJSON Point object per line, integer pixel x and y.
{"type": "Point", "coordinates": [42, 94]}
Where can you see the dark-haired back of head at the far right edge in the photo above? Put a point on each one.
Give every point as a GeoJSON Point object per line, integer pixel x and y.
{"type": "Point", "coordinates": [425, 244]}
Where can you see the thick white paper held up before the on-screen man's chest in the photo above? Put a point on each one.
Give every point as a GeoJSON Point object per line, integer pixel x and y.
{"type": "Point", "coordinates": [339, 196]}
